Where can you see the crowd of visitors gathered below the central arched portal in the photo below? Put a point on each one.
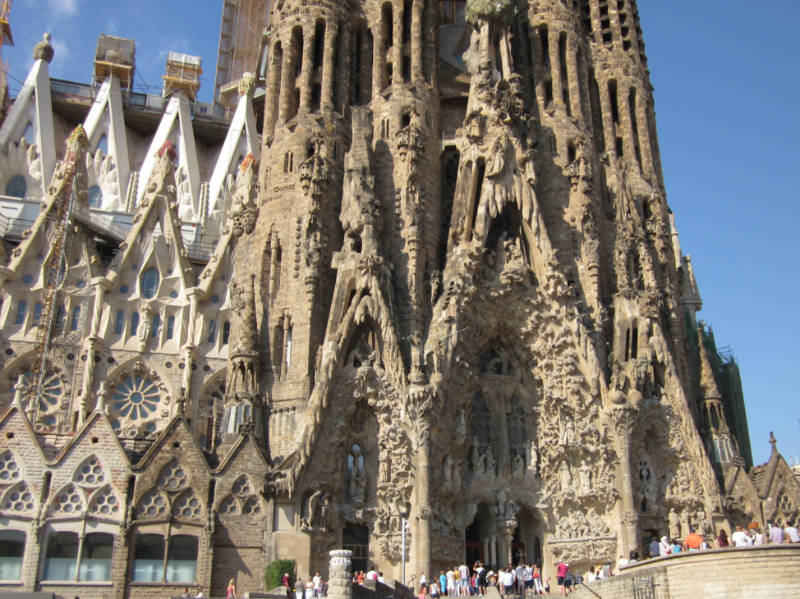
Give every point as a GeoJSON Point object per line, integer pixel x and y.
{"type": "Point", "coordinates": [463, 581]}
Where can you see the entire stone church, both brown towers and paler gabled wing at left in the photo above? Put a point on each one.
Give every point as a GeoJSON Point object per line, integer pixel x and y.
{"type": "Point", "coordinates": [441, 285]}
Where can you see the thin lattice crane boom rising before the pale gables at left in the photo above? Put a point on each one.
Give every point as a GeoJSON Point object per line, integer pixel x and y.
{"type": "Point", "coordinates": [53, 274]}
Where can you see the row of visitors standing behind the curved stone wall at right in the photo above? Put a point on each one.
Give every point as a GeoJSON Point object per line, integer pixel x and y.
{"type": "Point", "coordinates": [740, 538]}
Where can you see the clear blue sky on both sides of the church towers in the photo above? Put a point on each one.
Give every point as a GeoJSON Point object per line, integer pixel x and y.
{"type": "Point", "coordinates": [726, 91]}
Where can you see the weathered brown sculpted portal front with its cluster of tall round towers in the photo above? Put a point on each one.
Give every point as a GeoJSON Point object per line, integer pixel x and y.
{"type": "Point", "coordinates": [470, 300]}
